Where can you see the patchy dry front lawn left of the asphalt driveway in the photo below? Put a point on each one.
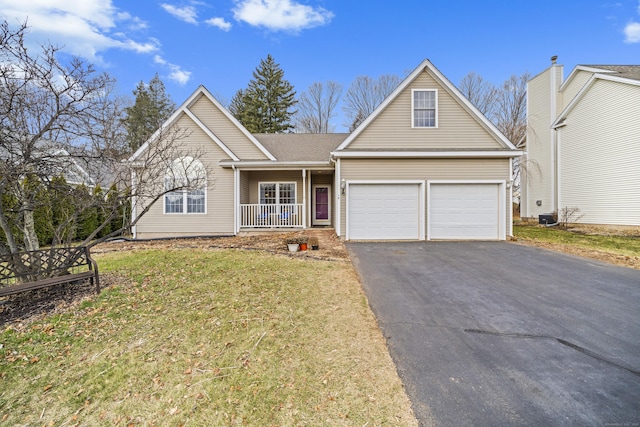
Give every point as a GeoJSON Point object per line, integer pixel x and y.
{"type": "Point", "coordinates": [206, 337]}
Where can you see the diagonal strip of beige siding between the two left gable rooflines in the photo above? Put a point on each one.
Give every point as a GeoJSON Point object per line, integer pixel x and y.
{"type": "Point", "coordinates": [225, 130]}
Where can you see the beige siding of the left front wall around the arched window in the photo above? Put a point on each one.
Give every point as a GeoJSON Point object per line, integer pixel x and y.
{"type": "Point", "coordinates": [219, 217]}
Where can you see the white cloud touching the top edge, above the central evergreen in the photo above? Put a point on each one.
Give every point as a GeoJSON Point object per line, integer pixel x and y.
{"type": "Point", "coordinates": [287, 15]}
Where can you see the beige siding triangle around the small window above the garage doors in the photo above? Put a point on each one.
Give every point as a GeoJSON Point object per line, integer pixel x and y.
{"type": "Point", "coordinates": [457, 128]}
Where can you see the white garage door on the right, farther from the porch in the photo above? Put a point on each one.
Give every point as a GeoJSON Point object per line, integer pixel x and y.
{"type": "Point", "coordinates": [464, 211]}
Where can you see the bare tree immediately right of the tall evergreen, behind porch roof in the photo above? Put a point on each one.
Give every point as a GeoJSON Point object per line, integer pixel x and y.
{"type": "Point", "coordinates": [316, 107]}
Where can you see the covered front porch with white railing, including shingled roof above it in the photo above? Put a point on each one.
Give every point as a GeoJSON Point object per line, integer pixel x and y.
{"type": "Point", "coordinates": [294, 190]}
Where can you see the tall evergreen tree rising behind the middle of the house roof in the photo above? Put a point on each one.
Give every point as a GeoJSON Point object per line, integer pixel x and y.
{"type": "Point", "coordinates": [265, 106]}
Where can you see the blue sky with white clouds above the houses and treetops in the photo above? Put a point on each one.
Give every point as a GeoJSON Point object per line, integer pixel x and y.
{"type": "Point", "coordinates": [219, 43]}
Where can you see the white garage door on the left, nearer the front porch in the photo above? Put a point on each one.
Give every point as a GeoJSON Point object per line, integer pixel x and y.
{"type": "Point", "coordinates": [384, 212]}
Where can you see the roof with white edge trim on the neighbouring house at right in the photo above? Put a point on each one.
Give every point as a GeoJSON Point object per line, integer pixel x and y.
{"type": "Point", "coordinates": [627, 74]}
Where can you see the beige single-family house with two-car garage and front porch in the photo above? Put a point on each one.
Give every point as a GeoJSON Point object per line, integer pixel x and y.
{"type": "Point", "coordinates": [425, 165]}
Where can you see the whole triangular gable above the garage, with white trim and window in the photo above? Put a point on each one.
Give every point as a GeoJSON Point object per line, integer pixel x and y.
{"type": "Point", "coordinates": [426, 112]}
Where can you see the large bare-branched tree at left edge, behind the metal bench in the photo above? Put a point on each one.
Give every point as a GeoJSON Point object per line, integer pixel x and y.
{"type": "Point", "coordinates": [58, 117]}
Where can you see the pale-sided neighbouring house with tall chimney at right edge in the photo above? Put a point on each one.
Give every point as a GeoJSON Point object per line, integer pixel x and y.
{"type": "Point", "coordinates": [583, 144]}
